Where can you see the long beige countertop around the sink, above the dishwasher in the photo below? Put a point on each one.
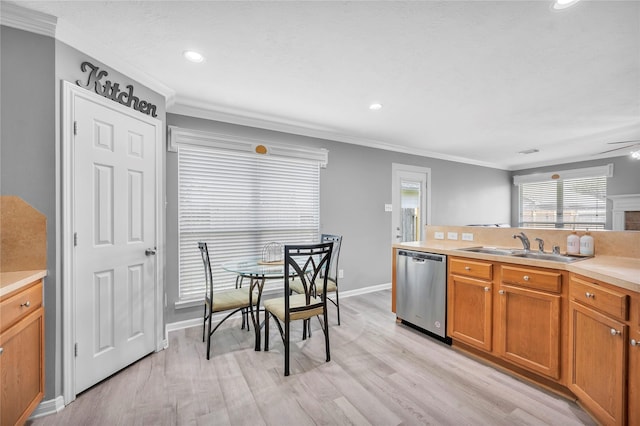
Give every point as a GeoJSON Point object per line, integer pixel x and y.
{"type": "Point", "coordinates": [623, 272]}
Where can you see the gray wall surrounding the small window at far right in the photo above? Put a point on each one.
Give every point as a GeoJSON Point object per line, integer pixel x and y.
{"type": "Point", "coordinates": [625, 180]}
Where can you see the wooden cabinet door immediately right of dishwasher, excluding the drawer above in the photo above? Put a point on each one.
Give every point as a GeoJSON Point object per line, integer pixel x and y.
{"type": "Point", "coordinates": [470, 308]}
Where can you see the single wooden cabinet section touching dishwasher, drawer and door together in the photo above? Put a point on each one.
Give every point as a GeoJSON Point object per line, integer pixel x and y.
{"type": "Point", "coordinates": [470, 302]}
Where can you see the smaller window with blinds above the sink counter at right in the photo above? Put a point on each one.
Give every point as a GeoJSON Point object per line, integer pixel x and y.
{"type": "Point", "coordinates": [578, 203]}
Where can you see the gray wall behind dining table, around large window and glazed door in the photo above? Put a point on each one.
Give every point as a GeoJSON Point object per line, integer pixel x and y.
{"type": "Point", "coordinates": [354, 188]}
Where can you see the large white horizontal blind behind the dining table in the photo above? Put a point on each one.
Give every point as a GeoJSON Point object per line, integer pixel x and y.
{"type": "Point", "coordinates": [238, 202]}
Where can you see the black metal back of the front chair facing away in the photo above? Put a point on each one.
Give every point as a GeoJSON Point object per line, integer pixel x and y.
{"type": "Point", "coordinates": [310, 264]}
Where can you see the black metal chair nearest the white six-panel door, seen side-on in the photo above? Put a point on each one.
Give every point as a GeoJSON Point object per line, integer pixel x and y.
{"type": "Point", "coordinates": [234, 300]}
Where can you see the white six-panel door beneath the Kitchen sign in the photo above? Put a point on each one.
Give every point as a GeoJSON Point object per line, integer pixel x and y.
{"type": "Point", "coordinates": [114, 211]}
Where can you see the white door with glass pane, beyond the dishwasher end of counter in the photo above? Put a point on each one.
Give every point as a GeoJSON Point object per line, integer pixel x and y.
{"type": "Point", "coordinates": [411, 202]}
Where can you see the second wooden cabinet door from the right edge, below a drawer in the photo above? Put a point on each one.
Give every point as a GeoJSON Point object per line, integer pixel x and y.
{"type": "Point", "coordinates": [597, 352]}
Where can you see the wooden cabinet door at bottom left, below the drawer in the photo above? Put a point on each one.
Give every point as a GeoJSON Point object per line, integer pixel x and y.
{"type": "Point", "coordinates": [22, 368]}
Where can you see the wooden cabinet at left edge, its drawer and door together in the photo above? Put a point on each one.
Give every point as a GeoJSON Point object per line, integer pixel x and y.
{"type": "Point", "coordinates": [21, 353]}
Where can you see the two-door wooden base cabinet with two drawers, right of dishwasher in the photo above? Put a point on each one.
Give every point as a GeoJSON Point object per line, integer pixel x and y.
{"type": "Point", "coordinates": [520, 323]}
